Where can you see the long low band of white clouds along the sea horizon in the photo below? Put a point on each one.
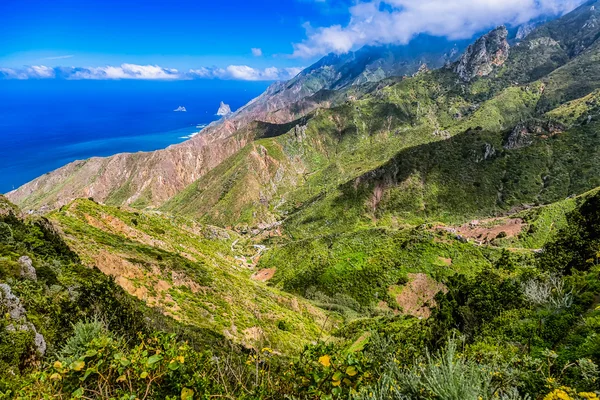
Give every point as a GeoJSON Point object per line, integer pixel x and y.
{"type": "Point", "coordinates": [149, 72]}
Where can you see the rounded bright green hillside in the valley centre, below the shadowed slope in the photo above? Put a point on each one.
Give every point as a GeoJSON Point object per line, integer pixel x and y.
{"type": "Point", "coordinates": [364, 264]}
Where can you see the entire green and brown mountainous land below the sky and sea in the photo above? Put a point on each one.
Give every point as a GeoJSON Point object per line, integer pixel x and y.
{"type": "Point", "coordinates": [426, 237]}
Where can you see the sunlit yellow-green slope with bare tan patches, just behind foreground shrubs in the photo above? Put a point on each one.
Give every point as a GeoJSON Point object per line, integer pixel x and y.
{"type": "Point", "coordinates": [199, 275]}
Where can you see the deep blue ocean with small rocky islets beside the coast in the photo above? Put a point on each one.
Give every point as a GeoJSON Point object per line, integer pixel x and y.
{"type": "Point", "coordinates": [45, 124]}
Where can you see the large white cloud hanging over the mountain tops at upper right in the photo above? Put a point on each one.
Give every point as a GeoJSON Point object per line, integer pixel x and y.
{"type": "Point", "coordinates": [398, 21]}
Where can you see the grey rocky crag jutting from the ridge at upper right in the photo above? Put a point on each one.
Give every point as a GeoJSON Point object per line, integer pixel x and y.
{"type": "Point", "coordinates": [480, 58]}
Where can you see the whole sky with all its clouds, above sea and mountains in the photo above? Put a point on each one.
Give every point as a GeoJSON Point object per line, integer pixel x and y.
{"type": "Point", "coordinates": [233, 39]}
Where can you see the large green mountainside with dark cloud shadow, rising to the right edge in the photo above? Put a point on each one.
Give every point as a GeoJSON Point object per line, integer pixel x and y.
{"type": "Point", "coordinates": [346, 144]}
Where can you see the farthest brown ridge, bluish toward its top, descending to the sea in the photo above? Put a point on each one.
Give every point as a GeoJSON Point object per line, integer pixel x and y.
{"type": "Point", "coordinates": [149, 179]}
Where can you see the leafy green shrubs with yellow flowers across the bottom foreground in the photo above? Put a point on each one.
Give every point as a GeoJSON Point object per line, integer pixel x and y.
{"type": "Point", "coordinates": [516, 336]}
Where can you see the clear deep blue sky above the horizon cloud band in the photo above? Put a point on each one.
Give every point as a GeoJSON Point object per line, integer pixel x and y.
{"type": "Point", "coordinates": [181, 34]}
